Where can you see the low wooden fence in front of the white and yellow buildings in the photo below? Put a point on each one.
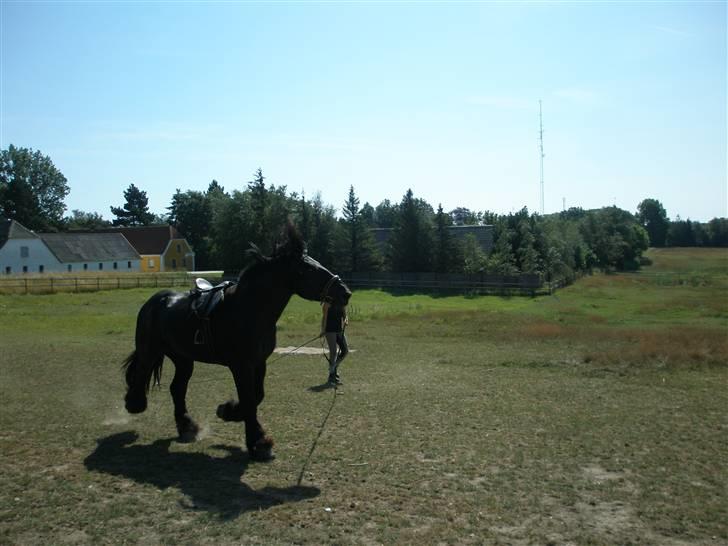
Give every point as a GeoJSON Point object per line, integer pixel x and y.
{"type": "Point", "coordinates": [52, 285]}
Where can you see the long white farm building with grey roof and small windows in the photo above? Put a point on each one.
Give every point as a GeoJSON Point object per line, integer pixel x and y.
{"type": "Point", "coordinates": [23, 251]}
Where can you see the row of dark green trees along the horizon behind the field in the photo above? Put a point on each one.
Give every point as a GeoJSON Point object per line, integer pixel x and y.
{"type": "Point", "coordinates": [220, 224]}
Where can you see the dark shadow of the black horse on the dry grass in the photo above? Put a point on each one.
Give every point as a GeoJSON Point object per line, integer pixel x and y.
{"type": "Point", "coordinates": [211, 484]}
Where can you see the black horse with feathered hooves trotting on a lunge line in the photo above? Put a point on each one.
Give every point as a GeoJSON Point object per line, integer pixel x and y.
{"type": "Point", "coordinates": [242, 335]}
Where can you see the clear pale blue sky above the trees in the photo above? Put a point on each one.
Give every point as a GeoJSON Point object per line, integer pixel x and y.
{"type": "Point", "coordinates": [438, 97]}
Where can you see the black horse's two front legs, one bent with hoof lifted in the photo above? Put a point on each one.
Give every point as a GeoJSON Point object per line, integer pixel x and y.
{"type": "Point", "coordinates": [247, 380]}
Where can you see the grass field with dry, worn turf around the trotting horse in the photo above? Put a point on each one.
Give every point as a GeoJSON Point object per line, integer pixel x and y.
{"type": "Point", "coordinates": [595, 416]}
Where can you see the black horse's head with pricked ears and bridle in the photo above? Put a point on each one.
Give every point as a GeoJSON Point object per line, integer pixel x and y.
{"type": "Point", "coordinates": [311, 280]}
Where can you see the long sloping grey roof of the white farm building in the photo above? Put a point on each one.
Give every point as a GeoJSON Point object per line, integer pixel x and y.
{"type": "Point", "coordinates": [89, 247]}
